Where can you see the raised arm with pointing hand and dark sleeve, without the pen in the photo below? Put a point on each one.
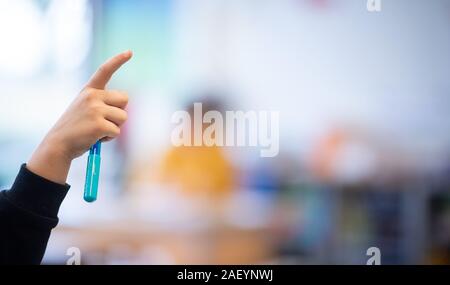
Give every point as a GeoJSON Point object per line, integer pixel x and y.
{"type": "Point", "coordinates": [29, 210]}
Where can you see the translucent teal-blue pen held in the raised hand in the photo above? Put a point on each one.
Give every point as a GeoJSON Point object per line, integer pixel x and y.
{"type": "Point", "coordinates": [92, 173]}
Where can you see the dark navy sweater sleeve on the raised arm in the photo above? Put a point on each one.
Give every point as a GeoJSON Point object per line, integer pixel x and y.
{"type": "Point", "coordinates": [28, 213]}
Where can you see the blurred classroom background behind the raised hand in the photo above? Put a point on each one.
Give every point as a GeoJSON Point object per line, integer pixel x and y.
{"type": "Point", "coordinates": [364, 104]}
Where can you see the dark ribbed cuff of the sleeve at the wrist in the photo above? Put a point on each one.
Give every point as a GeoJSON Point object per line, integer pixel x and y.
{"type": "Point", "coordinates": [37, 194]}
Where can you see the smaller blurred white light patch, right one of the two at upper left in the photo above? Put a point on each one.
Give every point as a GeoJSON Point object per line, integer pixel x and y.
{"type": "Point", "coordinates": [71, 30]}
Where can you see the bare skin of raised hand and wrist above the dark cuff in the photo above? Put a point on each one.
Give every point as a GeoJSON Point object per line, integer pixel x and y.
{"type": "Point", "coordinates": [95, 114]}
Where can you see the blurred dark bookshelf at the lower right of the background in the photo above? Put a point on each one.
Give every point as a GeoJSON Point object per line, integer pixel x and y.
{"type": "Point", "coordinates": [407, 221]}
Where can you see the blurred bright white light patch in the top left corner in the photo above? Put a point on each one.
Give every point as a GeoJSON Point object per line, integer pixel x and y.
{"type": "Point", "coordinates": [22, 37]}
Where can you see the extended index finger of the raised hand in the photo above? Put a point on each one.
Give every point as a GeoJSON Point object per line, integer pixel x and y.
{"type": "Point", "coordinates": [107, 69]}
